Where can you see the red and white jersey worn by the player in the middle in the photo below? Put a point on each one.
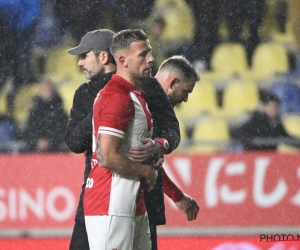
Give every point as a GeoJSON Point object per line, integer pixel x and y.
{"type": "Point", "coordinates": [119, 110]}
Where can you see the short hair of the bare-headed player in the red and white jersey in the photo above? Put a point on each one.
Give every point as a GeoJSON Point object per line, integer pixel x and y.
{"type": "Point", "coordinates": [124, 38]}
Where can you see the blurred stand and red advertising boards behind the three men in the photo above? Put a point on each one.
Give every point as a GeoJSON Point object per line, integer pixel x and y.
{"type": "Point", "coordinates": [240, 129]}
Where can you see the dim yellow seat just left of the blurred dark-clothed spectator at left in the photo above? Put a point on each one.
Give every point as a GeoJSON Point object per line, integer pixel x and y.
{"type": "Point", "coordinates": [22, 102]}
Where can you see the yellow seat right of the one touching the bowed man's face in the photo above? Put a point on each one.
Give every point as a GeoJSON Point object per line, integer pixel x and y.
{"type": "Point", "coordinates": [239, 97]}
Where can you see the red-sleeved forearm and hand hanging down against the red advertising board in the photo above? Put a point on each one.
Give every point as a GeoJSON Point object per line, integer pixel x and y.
{"type": "Point", "coordinates": [184, 202]}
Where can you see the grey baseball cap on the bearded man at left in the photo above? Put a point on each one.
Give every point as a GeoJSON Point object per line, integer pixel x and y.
{"type": "Point", "coordinates": [93, 40]}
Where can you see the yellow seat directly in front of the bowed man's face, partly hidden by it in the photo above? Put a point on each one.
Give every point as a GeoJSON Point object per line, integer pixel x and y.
{"type": "Point", "coordinates": [203, 99]}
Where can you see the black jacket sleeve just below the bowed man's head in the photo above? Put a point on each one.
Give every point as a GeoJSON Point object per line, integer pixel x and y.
{"type": "Point", "coordinates": [165, 122]}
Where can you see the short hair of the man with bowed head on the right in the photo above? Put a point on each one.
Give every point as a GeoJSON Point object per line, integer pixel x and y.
{"type": "Point", "coordinates": [181, 65]}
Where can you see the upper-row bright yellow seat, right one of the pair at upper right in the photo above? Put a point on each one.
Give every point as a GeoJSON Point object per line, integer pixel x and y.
{"type": "Point", "coordinates": [269, 60]}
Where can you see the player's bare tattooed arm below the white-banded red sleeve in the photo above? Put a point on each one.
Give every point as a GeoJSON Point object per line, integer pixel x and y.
{"type": "Point", "coordinates": [108, 156]}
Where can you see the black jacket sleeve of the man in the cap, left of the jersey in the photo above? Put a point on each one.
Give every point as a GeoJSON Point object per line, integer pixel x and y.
{"type": "Point", "coordinates": [79, 129]}
